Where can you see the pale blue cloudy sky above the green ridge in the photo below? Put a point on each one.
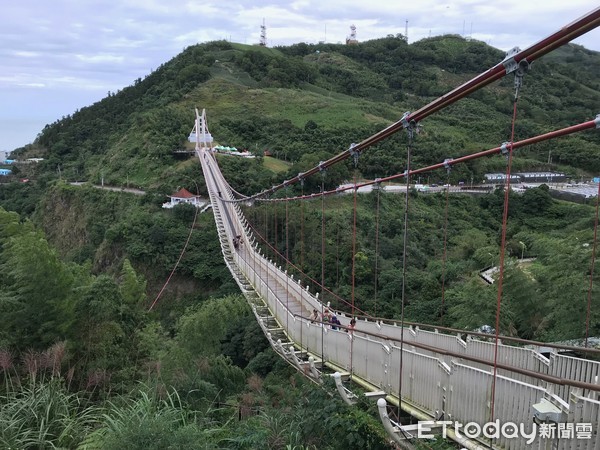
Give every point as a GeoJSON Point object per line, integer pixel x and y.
{"type": "Point", "coordinates": [59, 55]}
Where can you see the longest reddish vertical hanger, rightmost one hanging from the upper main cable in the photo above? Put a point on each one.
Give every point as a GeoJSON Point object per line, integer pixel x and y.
{"type": "Point", "coordinates": [509, 149]}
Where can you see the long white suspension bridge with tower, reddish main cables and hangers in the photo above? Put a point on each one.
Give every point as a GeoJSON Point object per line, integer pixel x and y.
{"type": "Point", "coordinates": [440, 375]}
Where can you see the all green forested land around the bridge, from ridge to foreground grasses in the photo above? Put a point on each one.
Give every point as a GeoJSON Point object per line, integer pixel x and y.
{"type": "Point", "coordinates": [84, 360]}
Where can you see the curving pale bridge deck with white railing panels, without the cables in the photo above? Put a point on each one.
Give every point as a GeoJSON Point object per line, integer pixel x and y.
{"type": "Point", "coordinates": [439, 376]}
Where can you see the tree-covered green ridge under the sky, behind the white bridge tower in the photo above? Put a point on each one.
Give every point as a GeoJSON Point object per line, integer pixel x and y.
{"type": "Point", "coordinates": [250, 94]}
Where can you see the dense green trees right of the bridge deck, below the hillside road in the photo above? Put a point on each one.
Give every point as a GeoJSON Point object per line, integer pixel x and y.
{"type": "Point", "coordinates": [559, 235]}
